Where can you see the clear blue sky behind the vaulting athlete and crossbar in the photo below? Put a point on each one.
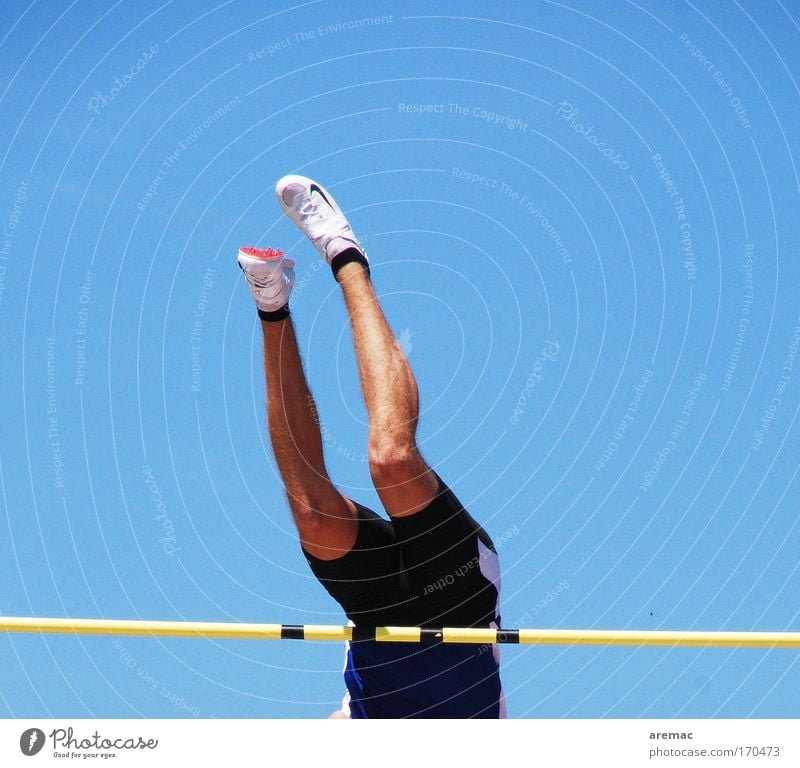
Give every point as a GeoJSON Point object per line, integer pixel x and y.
{"type": "Point", "coordinates": [582, 219]}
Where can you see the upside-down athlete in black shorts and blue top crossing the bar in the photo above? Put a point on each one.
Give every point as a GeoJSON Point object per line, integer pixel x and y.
{"type": "Point", "coordinates": [430, 564]}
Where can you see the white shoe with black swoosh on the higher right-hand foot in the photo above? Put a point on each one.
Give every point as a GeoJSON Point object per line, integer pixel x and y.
{"type": "Point", "coordinates": [317, 216]}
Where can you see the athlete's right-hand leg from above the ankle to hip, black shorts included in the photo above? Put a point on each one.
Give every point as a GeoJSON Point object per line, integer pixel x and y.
{"type": "Point", "coordinates": [449, 559]}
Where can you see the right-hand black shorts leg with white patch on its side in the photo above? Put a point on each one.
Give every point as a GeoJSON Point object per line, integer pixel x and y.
{"type": "Point", "coordinates": [450, 563]}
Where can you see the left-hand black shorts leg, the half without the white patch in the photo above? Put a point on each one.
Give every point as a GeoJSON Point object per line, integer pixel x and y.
{"type": "Point", "coordinates": [369, 582]}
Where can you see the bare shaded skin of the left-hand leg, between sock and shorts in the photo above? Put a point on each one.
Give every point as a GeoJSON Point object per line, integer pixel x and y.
{"type": "Point", "coordinates": [326, 520]}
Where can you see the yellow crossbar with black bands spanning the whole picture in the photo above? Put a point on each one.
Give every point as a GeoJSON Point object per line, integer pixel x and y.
{"type": "Point", "coordinates": [234, 631]}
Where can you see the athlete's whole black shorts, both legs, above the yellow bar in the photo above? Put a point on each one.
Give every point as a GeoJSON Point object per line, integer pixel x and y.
{"type": "Point", "coordinates": [435, 568]}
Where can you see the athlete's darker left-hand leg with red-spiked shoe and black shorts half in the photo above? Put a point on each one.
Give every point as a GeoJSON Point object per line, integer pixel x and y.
{"type": "Point", "coordinates": [351, 550]}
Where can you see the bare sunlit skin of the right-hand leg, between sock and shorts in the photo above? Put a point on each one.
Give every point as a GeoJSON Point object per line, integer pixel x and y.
{"type": "Point", "coordinates": [405, 483]}
